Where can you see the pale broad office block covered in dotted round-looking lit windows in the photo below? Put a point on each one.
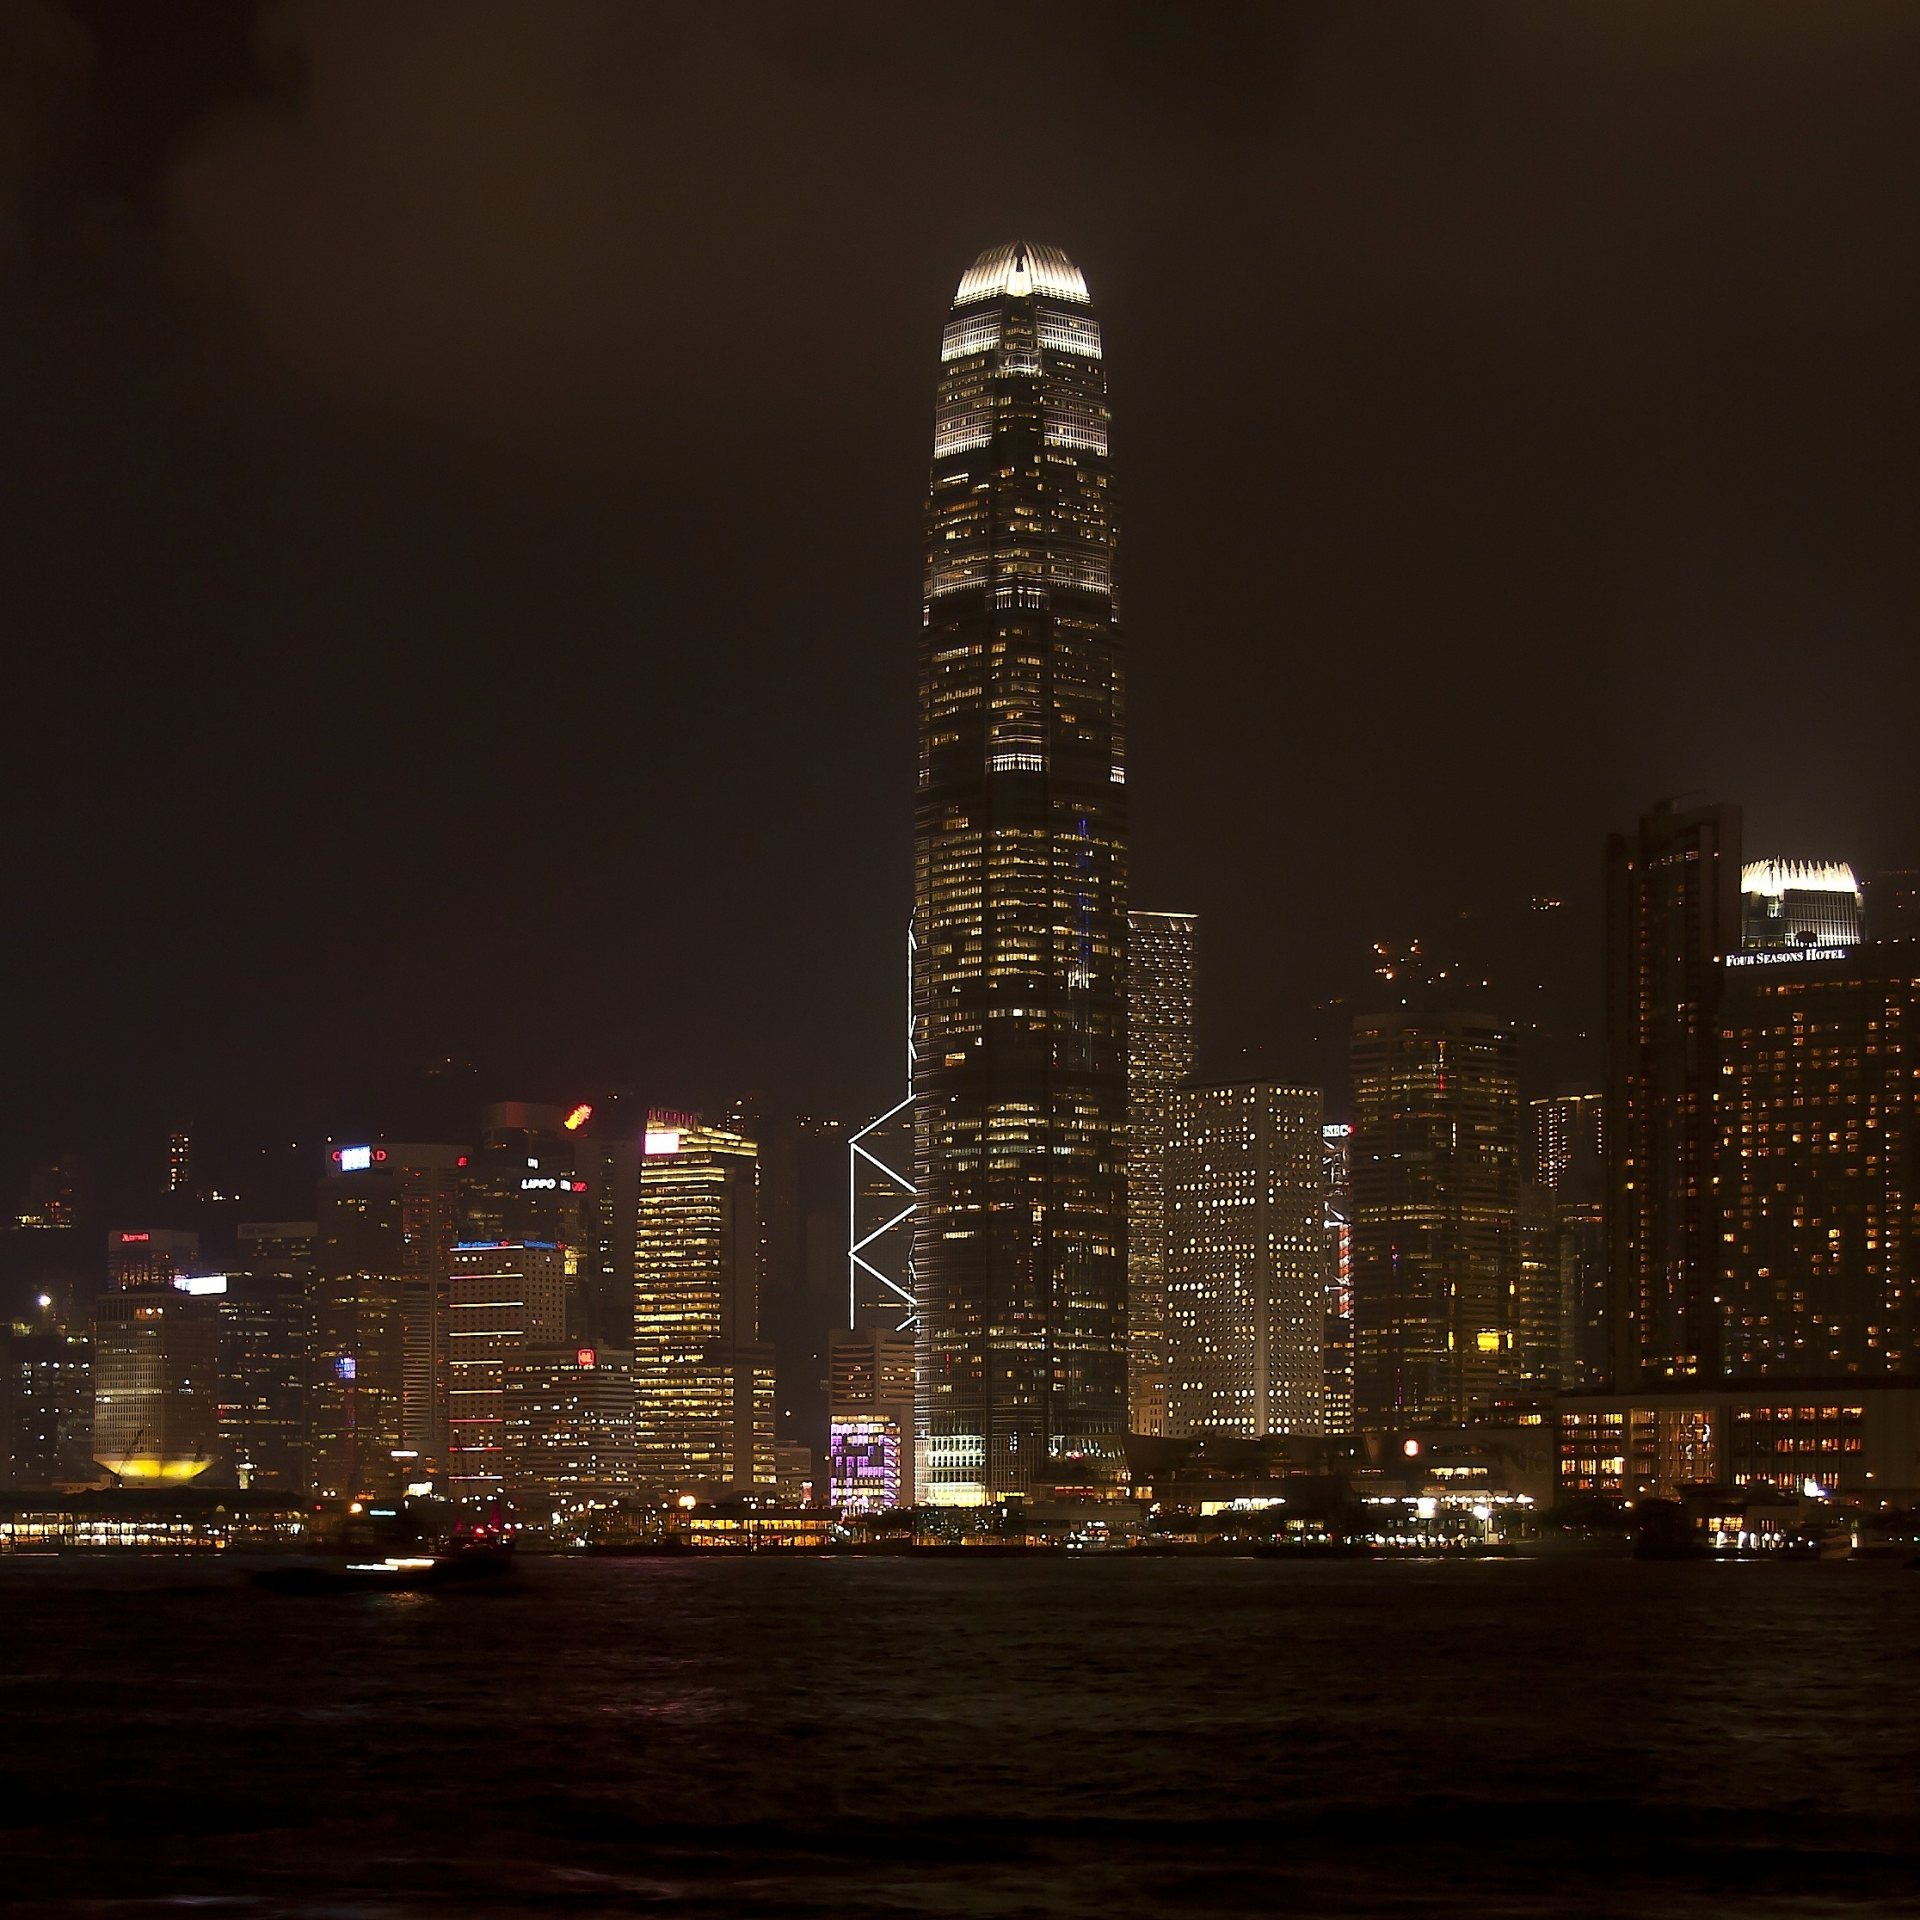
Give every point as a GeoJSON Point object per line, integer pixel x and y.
{"type": "Point", "coordinates": [1245, 1260]}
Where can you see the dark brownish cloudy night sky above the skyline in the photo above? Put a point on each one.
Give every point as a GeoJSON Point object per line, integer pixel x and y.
{"type": "Point", "coordinates": [464, 473]}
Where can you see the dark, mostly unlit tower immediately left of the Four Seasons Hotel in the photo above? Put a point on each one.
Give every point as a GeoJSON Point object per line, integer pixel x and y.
{"type": "Point", "coordinates": [1673, 915]}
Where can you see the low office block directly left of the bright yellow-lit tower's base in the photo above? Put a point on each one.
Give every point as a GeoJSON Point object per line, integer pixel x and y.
{"type": "Point", "coordinates": [569, 1431]}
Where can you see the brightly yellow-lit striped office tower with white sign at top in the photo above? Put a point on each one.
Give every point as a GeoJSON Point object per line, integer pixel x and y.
{"type": "Point", "coordinates": [704, 1383]}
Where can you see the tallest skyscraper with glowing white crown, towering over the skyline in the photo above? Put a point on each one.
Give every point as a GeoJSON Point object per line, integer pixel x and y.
{"type": "Point", "coordinates": [1020, 901]}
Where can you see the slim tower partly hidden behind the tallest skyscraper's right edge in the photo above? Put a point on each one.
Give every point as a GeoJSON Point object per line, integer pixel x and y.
{"type": "Point", "coordinates": [1161, 1055]}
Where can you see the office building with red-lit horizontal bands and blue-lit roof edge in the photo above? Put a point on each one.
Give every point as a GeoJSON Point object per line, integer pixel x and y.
{"type": "Point", "coordinates": [506, 1299]}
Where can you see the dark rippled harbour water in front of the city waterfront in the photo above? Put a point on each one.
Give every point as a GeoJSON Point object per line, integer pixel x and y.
{"type": "Point", "coordinates": [948, 1739]}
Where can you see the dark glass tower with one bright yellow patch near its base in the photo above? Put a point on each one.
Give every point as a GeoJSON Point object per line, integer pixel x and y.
{"type": "Point", "coordinates": [1437, 1172]}
